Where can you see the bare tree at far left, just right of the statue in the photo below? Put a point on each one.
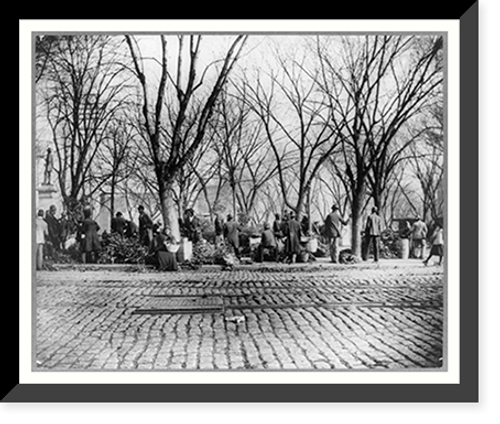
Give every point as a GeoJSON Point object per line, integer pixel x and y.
{"type": "Point", "coordinates": [84, 89]}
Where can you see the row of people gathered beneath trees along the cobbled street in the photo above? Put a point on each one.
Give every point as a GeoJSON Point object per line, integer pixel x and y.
{"type": "Point", "coordinates": [281, 241]}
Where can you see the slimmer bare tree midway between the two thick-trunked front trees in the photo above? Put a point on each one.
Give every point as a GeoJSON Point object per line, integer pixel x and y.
{"type": "Point", "coordinates": [296, 122]}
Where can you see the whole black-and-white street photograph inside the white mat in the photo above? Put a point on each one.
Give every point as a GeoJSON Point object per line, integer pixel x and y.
{"type": "Point", "coordinates": [254, 201]}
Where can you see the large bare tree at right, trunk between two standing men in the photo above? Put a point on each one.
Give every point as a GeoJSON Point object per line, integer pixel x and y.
{"type": "Point", "coordinates": [374, 85]}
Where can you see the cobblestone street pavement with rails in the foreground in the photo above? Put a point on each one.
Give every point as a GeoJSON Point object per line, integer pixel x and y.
{"type": "Point", "coordinates": [258, 317]}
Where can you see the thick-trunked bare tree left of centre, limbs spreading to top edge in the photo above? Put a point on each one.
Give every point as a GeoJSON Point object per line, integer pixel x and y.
{"type": "Point", "coordinates": [189, 111]}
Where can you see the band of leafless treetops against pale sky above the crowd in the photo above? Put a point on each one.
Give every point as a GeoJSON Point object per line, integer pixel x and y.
{"type": "Point", "coordinates": [247, 123]}
